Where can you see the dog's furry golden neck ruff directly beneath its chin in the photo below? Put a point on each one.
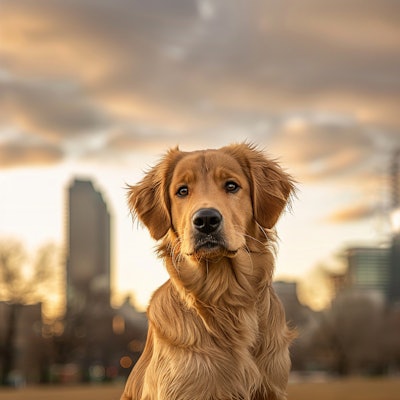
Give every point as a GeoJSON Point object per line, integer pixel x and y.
{"type": "Point", "coordinates": [223, 281]}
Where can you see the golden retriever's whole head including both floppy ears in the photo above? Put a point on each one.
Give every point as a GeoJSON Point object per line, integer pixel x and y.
{"type": "Point", "coordinates": [212, 201]}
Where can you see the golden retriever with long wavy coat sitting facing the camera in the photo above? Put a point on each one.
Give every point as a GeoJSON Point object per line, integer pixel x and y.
{"type": "Point", "coordinates": [217, 330]}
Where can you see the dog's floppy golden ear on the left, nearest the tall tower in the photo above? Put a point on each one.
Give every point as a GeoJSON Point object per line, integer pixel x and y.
{"type": "Point", "coordinates": [149, 200]}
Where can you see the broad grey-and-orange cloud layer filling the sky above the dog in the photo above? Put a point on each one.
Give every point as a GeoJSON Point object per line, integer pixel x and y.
{"type": "Point", "coordinates": [137, 73]}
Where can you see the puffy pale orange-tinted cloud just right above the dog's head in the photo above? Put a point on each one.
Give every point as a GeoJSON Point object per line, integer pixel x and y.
{"type": "Point", "coordinates": [323, 146]}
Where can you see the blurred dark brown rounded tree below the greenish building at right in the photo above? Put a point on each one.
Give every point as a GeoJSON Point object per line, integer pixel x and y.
{"type": "Point", "coordinates": [350, 337]}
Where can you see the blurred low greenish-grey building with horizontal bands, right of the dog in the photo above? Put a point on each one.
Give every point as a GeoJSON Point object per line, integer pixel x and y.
{"type": "Point", "coordinates": [369, 269]}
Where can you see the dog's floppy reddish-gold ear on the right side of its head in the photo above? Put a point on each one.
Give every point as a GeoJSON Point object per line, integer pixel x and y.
{"type": "Point", "coordinates": [271, 187]}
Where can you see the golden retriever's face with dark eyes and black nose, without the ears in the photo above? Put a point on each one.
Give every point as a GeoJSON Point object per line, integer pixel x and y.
{"type": "Point", "coordinates": [210, 204]}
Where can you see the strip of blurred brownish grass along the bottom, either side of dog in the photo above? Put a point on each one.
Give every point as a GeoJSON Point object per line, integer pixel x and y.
{"type": "Point", "coordinates": [352, 389]}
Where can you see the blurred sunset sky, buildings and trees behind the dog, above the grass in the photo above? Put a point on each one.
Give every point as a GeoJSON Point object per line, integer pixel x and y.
{"type": "Point", "coordinates": [93, 92]}
